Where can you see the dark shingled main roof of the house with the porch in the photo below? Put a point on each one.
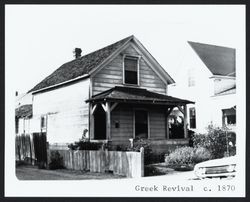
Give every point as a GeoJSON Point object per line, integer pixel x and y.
{"type": "Point", "coordinates": [85, 65]}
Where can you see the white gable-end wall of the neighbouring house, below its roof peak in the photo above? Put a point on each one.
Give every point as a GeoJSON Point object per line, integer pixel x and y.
{"type": "Point", "coordinates": [199, 93]}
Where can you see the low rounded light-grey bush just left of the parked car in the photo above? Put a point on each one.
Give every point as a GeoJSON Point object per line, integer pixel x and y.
{"type": "Point", "coordinates": [187, 156]}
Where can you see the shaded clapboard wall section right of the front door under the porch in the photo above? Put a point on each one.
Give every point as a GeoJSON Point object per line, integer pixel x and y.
{"type": "Point", "coordinates": [157, 124]}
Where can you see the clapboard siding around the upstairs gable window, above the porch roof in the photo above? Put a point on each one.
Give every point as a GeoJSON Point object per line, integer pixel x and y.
{"type": "Point", "coordinates": [112, 75]}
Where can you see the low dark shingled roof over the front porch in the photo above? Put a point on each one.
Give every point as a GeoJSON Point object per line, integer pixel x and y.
{"type": "Point", "coordinates": [136, 95]}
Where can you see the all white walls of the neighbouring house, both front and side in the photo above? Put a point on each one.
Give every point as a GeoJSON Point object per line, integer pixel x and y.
{"type": "Point", "coordinates": [208, 108]}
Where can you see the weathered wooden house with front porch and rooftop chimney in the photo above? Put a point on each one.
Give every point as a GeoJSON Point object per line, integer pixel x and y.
{"type": "Point", "coordinates": [116, 93]}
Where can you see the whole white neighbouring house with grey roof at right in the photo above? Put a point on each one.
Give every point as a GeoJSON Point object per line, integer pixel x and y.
{"type": "Point", "coordinates": [207, 77]}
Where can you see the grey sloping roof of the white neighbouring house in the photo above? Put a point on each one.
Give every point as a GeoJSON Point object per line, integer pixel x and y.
{"type": "Point", "coordinates": [219, 60]}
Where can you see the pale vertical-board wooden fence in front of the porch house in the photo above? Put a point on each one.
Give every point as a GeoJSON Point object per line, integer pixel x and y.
{"type": "Point", "coordinates": [129, 164]}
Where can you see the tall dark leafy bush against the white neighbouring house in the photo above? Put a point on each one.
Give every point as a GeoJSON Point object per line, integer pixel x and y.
{"type": "Point", "coordinates": [217, 140]}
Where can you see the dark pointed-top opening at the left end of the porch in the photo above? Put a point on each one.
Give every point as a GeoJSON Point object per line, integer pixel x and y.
{"type": "Point", "coordinates": [99, 123]}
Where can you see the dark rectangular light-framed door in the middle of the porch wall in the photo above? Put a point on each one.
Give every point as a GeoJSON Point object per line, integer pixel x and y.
{"type": "Point", "coordinates": [141, 124]}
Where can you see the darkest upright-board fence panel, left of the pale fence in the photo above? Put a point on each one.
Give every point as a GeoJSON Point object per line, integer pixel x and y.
{"type": "Point", "coordinates": [40, 147]}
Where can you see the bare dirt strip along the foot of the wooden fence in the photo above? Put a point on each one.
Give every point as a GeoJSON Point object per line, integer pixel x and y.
{"type": "Point", "coordinates": [33, 173]}
